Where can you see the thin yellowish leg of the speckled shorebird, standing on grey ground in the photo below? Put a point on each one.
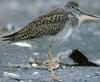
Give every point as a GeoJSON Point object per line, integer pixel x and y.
{"type": "Point", "coordinates": [50, 63]}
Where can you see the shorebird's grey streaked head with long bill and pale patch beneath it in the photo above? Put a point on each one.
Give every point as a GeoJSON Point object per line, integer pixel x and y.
{"type": "Point", "coordinates": [73, 7]}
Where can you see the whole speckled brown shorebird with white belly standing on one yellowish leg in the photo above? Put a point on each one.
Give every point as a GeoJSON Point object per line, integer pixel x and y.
{"type": "Point", "coordinates": [53, 27]}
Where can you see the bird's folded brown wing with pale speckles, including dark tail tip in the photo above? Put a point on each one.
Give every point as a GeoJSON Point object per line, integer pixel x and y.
{"type": "Point", "coordinates": [49, 24]}
